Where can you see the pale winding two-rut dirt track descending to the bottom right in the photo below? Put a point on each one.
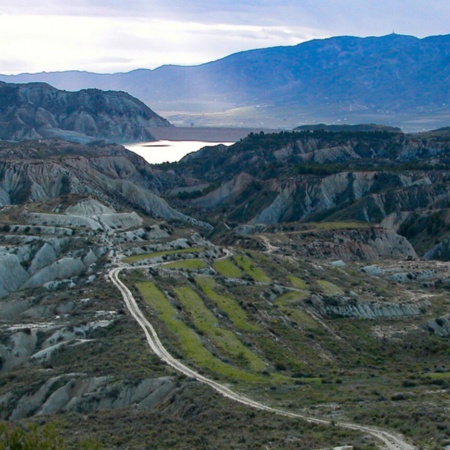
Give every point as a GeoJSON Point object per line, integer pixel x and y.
{"type": "Point", "coordinates": [390, 440]}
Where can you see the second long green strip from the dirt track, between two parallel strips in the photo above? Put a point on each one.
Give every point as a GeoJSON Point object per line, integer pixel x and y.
{"type": "Point", "coordinates": [205, 321]}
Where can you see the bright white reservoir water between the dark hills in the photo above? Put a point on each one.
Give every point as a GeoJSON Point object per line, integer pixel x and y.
{"type": "Point", "coordinates": [158, 152]}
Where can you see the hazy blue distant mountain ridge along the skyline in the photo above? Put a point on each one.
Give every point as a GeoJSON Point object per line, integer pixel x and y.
{"type": "Point", "coordinates": [320, 80]}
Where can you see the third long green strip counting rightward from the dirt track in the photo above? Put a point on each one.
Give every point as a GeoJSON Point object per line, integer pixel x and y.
{"type": "Point", "coordinates": [227, 304]}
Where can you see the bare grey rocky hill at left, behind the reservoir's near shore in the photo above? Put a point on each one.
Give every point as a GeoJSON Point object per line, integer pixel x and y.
{"type": "Point", "coordinates": [38, 110]}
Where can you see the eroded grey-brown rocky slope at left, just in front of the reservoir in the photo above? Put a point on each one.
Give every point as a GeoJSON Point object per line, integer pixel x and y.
{"type": "Point", "coordinates": [39, 171]}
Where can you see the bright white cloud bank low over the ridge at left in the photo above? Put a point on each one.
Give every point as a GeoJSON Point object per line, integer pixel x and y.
{"type": "Point", "coordinates": [108, 44]}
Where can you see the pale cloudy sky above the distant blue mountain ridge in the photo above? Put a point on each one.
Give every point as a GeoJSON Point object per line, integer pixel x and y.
{"type": "Point", "coordinates": [122, 35]}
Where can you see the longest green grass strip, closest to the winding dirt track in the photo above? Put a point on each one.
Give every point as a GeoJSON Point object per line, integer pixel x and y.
{"type": "Point", "coordinates": [189, 342]}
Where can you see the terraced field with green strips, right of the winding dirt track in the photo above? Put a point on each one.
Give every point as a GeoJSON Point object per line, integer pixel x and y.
{"type": "Point", "coordinates": [263, 333]}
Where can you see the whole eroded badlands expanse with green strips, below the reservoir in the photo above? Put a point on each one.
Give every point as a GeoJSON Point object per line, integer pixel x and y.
{"type": "Point", "coordinates": [305, 272]}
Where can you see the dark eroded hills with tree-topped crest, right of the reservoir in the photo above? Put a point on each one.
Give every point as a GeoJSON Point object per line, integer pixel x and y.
{"type": "Point", "coordinates": [385, 178]}
